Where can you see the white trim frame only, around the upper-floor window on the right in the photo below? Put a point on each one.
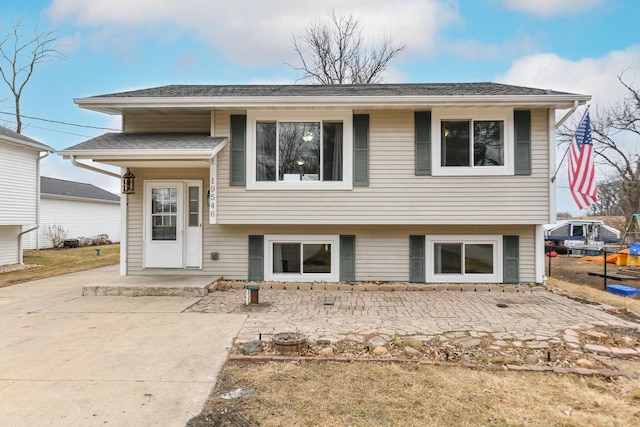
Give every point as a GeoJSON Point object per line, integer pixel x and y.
{"type": "Point", "coordinates": [504, 114]}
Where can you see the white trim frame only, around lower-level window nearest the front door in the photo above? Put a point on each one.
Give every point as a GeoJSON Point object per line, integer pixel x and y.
{"type": "Point", "coordinates": [333, 240]}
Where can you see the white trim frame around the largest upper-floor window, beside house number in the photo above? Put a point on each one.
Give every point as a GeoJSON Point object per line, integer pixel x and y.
{"type": "Point", "coordinates": [345, 116]}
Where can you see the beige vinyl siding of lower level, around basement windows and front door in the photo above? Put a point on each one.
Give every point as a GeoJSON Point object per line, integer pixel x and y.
{"type": "Point", "coordinates": [382, 251]}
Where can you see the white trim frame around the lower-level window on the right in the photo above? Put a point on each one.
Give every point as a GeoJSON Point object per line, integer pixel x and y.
{"type": "Point", "coordinates": [495, 240]}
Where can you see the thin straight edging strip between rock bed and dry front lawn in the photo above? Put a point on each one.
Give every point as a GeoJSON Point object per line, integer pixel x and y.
{"type": "Point", "coordinates": [607, 373]}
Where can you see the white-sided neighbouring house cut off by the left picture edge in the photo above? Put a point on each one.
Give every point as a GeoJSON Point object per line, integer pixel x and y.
{"type": "Point", "coordinates": [19, 185]}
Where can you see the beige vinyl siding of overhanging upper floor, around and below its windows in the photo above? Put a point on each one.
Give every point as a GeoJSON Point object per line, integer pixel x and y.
{"type": "Point", "coordinates": [395, 194]}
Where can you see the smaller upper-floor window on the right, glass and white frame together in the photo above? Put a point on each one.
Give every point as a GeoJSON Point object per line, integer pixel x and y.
{"type": "Point", "coordinates": [481, 143]}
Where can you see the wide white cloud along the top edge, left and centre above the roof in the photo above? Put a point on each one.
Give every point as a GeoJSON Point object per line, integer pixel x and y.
{"type": "Point", "coordinates": [255, 31]}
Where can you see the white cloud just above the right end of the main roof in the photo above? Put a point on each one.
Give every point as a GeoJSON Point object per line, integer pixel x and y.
{"type": "Point", "coordinates": [590, 76]}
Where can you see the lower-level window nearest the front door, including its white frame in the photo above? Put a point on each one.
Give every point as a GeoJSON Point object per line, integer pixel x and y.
{"type": "Point", "coordinates": [301, 258]}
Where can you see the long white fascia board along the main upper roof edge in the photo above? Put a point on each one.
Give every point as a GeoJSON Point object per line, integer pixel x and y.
{"type": "Point", "coordinates": [118, 105]}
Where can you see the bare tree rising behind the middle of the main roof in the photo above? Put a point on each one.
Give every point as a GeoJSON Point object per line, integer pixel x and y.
{"type": "Point", "coordinates": [336, 54]}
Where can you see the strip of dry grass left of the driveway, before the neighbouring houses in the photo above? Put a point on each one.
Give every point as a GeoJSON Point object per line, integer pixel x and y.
{"type": "Point", "coordinates": [54, 262]}
